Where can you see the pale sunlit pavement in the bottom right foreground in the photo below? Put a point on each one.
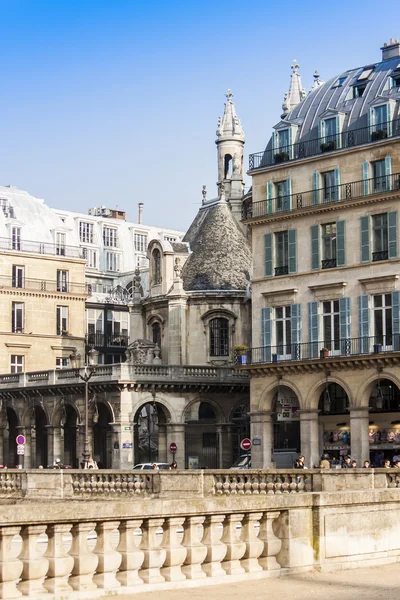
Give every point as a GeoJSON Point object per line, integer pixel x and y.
{"type": "Point", "coordinates": [369, 584]}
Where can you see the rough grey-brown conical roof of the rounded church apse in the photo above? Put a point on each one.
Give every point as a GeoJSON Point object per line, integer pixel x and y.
{"type": "Point", "coordinates": [221, 257]}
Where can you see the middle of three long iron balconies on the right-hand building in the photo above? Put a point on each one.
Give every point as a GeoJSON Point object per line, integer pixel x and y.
{"type": "Point", "coordinates": [321, 197]}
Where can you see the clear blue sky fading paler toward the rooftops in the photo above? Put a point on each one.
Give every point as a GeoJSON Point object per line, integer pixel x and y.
{"type": "Point", "coordinates": [116, 102]}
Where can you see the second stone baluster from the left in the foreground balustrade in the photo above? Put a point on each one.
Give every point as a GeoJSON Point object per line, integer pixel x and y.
{"type": "Point", "coordinates": [35, 565]}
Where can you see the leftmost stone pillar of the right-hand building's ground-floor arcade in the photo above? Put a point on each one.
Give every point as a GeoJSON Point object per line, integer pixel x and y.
{"type": "Point", "coordinates": [262, 432]}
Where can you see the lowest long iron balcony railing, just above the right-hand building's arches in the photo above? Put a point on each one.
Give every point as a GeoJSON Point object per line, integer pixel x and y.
{"type": "Point", "coordinates": [320, 350]}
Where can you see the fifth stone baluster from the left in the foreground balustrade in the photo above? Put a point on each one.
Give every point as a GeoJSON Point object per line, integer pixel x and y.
{"type": "Point", "coordinates": [109, 558]}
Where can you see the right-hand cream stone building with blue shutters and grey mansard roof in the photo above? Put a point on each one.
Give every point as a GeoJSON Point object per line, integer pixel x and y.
{"type": "Point", "coordinates": [326, 299]}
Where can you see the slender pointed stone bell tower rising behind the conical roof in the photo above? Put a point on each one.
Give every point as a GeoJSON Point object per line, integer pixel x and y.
{"type": "Point", "coordinates": [230, 143]}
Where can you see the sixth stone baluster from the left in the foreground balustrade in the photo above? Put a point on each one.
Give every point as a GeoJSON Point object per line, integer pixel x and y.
{"type": "Point", "coordinates": [132, 555]}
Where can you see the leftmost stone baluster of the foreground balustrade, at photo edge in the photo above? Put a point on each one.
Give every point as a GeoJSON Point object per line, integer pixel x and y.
{"type": "Point", "coordinates": [10, 566]}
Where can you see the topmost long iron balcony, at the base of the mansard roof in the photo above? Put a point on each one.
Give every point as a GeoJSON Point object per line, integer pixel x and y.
{"type": "Point", "coordinates": [347, 139]}
